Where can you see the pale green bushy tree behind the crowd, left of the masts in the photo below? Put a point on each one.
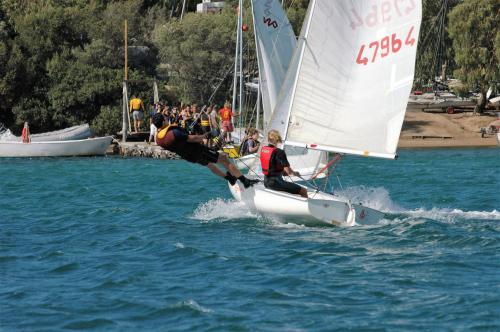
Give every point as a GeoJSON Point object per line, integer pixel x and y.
{"type": "Point", "coordinates": [199, 51]}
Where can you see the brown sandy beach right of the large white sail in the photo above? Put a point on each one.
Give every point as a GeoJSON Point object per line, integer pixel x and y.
{"type": "Point", "coordinates": [431, 130]}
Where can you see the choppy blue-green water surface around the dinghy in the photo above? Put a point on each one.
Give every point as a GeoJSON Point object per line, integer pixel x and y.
{"type": "Point", "coordinates": [112, 244]}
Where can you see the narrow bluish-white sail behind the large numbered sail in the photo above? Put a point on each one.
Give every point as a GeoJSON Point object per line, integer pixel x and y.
{"type": "Point", "coordinates": [275, 42]}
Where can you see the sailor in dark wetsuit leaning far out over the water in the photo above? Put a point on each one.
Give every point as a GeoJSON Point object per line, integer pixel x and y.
{"type": "Point", "coordinates": [190, 148]}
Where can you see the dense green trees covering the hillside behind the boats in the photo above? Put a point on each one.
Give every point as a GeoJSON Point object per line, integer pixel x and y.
{"type": "Point", "coordinates": [61, 61]}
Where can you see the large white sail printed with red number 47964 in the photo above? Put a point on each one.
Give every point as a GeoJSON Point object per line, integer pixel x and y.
{"type": "Point", "coordinates": [354, 75]}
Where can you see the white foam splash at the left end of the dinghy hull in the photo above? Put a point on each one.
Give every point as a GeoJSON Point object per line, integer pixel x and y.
{"type": "Point", "coordinates": [222, 209]}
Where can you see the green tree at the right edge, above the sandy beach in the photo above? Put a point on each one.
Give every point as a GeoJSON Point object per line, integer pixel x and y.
{"type": "Point", "coordinates": [474, 30]}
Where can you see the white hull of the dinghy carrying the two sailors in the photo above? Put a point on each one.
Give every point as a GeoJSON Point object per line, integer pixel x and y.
{"type": "Point", "coordinates": [319, 209]}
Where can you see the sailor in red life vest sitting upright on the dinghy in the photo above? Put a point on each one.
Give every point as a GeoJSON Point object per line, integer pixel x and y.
{"type": "Point", "coordinates": [274, 163]}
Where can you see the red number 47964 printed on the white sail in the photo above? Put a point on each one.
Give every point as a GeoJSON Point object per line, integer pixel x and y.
{"type": "Point", "coordinates": [387, 45]}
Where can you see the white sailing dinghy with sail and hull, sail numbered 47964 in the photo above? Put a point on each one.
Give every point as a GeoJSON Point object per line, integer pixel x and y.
{"type": "Point", "coordinates": [345, 91]}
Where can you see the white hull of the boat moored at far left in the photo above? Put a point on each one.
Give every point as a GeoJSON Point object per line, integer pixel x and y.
{"type": "Point", "coordinates": [85, 147]}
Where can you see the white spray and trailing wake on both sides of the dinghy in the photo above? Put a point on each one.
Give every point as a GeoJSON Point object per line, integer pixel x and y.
{"type": "Point", "coordinates": [376, 198]}
